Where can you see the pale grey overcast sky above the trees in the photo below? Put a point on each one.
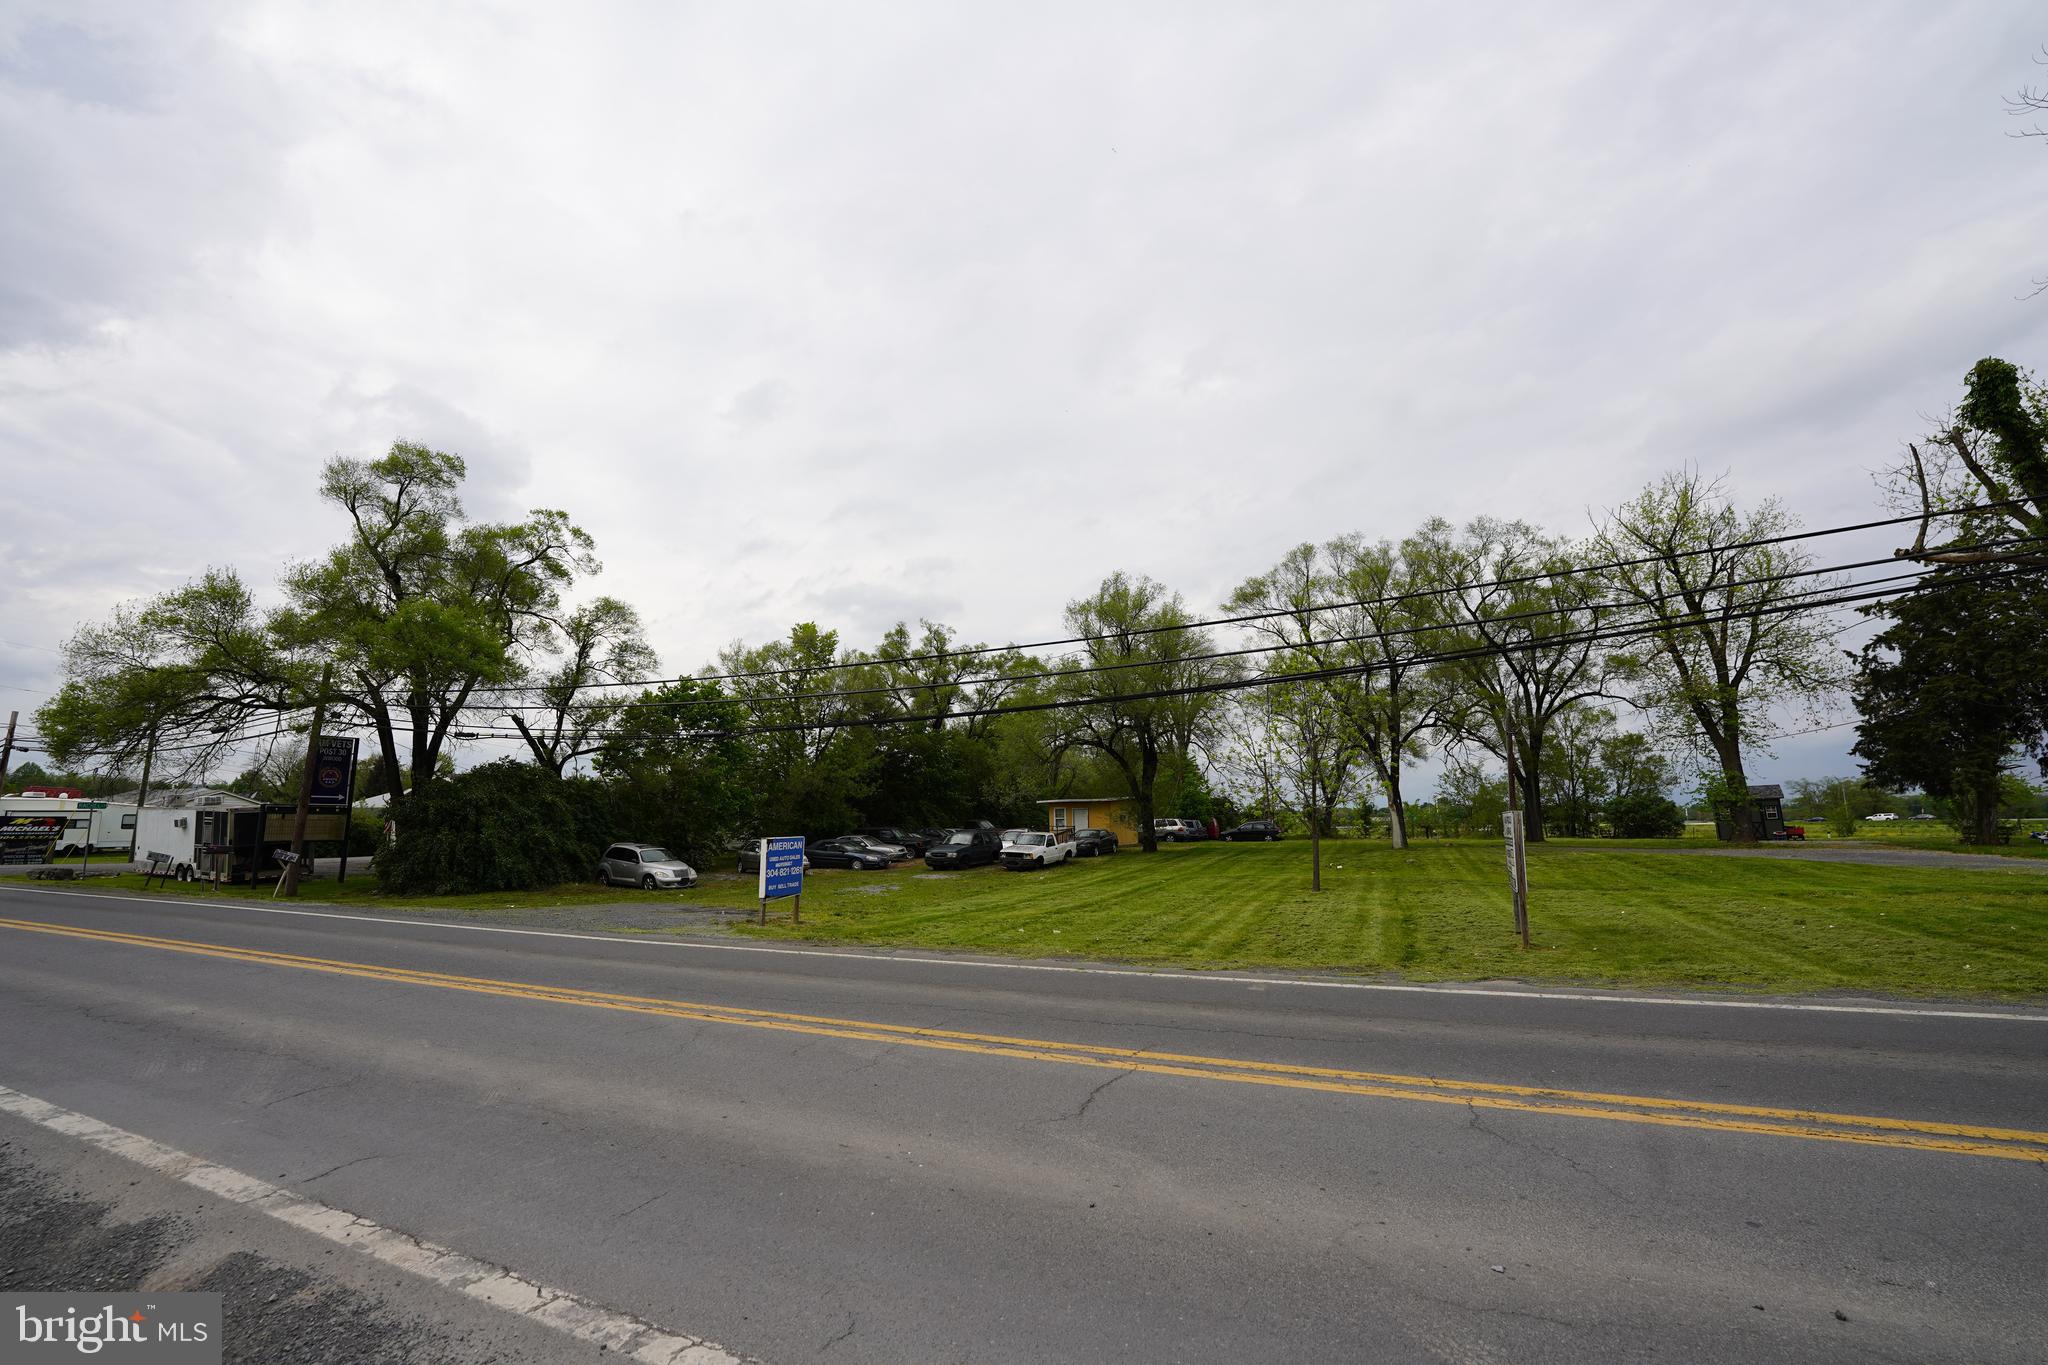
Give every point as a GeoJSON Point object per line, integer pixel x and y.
{"type": "Point", "coordinates": [857, 314]}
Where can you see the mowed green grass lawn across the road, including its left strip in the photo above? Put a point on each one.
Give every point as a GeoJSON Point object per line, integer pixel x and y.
{"type": "Point", "coordinates": [1603, 914]}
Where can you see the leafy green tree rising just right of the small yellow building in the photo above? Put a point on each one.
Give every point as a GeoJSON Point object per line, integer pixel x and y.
{"type": "Point", "coordinates": [1144, 635]}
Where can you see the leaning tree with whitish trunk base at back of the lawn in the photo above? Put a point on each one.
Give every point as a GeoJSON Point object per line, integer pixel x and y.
{"type": "Point", "coordinates": [1349, 607]}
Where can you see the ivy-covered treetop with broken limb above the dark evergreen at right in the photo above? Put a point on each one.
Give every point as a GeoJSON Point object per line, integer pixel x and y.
{"type": "Point", "coordinates": [1994, 449]}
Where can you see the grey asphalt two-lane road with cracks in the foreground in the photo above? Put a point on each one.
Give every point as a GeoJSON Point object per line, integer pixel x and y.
{"type": "Point", "coordinates": [910, 1159]}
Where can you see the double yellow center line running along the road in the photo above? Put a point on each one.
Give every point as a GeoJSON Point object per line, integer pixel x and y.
{"type": "Point", "coordinates": [1859, 1129]}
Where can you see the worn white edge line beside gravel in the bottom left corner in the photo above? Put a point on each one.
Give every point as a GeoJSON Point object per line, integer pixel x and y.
{"type": "Point", "coordinates": [452, 1270]}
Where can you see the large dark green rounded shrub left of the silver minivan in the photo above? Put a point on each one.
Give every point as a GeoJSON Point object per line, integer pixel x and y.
{"type": "Point", "coordinates": [497, 828]}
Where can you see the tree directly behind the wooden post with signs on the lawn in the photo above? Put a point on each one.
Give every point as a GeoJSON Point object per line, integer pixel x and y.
{"type": "Point", "coordinates": [1525, 623]}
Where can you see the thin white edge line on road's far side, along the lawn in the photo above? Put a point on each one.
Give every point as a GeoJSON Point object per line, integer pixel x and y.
{"type": "Point", "coordinates": [1496, 994]}
